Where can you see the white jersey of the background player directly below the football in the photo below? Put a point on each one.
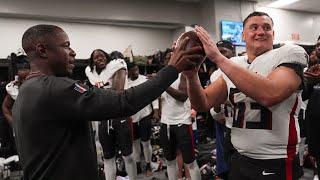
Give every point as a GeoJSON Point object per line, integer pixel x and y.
{"type": "Point", "coordinates": [173, 111]}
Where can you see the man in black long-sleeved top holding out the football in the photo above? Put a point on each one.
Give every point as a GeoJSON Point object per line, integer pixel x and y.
{"type": "Point", "coordinates": [51, 113]}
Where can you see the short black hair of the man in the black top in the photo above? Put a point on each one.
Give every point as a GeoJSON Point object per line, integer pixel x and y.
{"type": "Point", "coordinates": [36, 34]}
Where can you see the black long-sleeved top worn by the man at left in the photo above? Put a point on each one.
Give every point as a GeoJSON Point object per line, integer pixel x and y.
{"type": "Point", "coordinates": [50, 119]}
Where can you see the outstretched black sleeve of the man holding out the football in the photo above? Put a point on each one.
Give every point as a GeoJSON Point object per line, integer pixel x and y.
{"type": "Point", "coordinates": [98, 104]}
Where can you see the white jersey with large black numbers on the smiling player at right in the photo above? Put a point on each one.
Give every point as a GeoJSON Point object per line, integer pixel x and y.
{"type": "Point", "coordinates": [266, 132]}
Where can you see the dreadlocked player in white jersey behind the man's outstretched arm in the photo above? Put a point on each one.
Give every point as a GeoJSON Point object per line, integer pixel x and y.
{"type": "Point", "coordinates": [112, 74]}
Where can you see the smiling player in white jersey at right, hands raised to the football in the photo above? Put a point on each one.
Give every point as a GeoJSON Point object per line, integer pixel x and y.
{"type": "Point", "coordinates": [264, 88]}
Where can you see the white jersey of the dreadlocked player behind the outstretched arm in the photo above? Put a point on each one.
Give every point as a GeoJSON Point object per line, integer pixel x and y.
{"type": "Point", "coordinates": [104, 79]}
